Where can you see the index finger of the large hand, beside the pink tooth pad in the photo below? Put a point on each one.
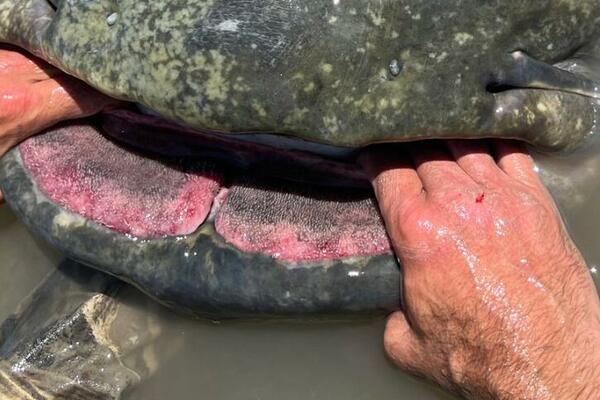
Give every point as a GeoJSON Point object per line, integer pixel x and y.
{"type": "Point", "coordinates": [394, 178]}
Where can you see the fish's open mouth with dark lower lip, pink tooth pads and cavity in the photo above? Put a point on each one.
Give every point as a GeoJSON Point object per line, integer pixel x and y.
{"type": "Point", "coordinates": [204, 233]}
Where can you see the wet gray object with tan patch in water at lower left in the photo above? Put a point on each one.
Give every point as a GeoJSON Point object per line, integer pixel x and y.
{"type": "Point", "coordinates": [75, 338]}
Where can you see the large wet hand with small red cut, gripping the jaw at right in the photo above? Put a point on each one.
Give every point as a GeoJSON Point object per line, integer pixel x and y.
{"type": "Point", "coordinates": [498, 302]}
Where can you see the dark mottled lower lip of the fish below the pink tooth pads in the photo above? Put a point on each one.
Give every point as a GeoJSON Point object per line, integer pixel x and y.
{"type": "Point", "coordinates": [201, 274]}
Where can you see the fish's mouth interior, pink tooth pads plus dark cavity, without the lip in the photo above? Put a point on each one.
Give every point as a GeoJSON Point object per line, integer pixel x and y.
{"type": "Point", "coordinates": [234, 186]}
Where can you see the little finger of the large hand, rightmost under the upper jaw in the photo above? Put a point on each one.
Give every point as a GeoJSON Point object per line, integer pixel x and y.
{"type": "Point", "coordinates": [515, 161]}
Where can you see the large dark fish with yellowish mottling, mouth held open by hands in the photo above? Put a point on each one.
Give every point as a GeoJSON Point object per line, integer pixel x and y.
{"type": "Point", "coordinates": [227, 186]}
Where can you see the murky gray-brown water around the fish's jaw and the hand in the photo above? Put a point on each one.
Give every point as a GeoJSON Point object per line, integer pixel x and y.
{"type": "Point", "coordinates": [292, 359]}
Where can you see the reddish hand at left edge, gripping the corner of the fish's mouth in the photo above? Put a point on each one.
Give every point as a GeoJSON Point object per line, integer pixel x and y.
{"type": "Point", "coordinates": [35, 96]}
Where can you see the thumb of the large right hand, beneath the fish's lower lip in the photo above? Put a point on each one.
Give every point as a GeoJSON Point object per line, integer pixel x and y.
{"type": "Point", "coordinates": [402, 344]}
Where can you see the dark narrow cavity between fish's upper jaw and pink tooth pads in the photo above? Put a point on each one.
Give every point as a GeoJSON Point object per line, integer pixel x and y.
{"type": "Point", "coordinates": [155, 135]}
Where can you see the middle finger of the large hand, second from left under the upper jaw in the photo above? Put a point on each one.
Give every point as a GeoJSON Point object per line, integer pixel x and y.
{"type": "Point", "coordinates": [436, 168]}
